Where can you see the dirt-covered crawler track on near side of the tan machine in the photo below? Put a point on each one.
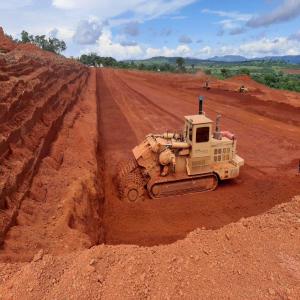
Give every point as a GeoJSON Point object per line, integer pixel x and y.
{"type": "Point", "coordinates": [166, 187]}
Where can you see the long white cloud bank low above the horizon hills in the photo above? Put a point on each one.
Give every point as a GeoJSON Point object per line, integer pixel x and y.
{"type": "Point", "coordinates": [122, 49]}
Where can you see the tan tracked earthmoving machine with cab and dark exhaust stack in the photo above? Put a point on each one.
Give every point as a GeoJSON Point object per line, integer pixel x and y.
{"type": "Point", "coordinates": [170, 164]}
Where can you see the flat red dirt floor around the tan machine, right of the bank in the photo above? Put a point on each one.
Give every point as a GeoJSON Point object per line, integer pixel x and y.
{"type": "Point", "coordinates": [134, 104]}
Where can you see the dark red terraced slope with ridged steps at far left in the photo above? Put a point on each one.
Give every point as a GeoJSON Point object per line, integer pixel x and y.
{"type": "Point", "coordinates": [36, 92]}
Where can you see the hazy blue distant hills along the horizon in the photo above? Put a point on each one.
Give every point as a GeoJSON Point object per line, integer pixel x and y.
{"type": "Point", "coordinates": [291, 59]}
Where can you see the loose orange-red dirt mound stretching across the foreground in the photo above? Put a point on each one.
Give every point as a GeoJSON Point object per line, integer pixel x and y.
{"type": "Point", "coordinates": [238, 261]}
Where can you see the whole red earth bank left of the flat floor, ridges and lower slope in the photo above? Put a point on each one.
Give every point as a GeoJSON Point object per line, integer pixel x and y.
{"type": "Point", "coordinates": [42, 111]}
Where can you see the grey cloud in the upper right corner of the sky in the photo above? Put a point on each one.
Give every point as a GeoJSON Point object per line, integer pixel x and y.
{"type": "Point", "coordinates": [290, 9]}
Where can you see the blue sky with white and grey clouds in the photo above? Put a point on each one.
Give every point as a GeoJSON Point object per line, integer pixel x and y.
{"type": "Point", "coordinates": [139, 29]}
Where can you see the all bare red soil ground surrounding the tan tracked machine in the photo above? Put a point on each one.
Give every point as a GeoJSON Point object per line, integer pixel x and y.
{"type": "Point", "coordinates": [63, 130]}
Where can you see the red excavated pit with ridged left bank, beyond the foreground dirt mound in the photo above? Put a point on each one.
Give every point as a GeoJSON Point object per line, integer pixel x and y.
{"type": "Point", "coordinates": [64, 128]}
